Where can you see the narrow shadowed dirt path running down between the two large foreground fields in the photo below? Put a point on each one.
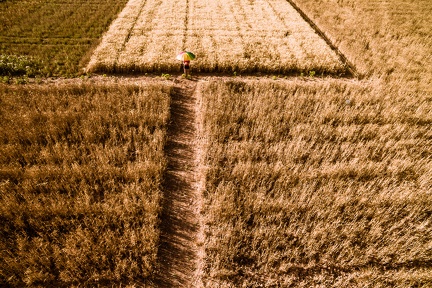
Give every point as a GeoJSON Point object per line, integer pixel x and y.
{"type": "Point", "coordinates": [180, 252]}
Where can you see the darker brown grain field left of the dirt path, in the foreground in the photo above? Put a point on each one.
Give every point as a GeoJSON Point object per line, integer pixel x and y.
{"type": "Point", "coordinates": [81, 168]}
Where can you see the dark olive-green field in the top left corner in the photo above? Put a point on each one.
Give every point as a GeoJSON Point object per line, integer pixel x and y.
{"type": "Point", "coordinates": [55, 37]}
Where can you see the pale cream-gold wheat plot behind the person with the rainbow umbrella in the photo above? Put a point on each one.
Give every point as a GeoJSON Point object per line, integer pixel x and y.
{"type": "Point", "coordinates": [227, 36]}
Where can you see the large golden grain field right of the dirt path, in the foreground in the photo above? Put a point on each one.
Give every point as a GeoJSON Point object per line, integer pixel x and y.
{"type": "Point", "coordinates": [317, 184]}
